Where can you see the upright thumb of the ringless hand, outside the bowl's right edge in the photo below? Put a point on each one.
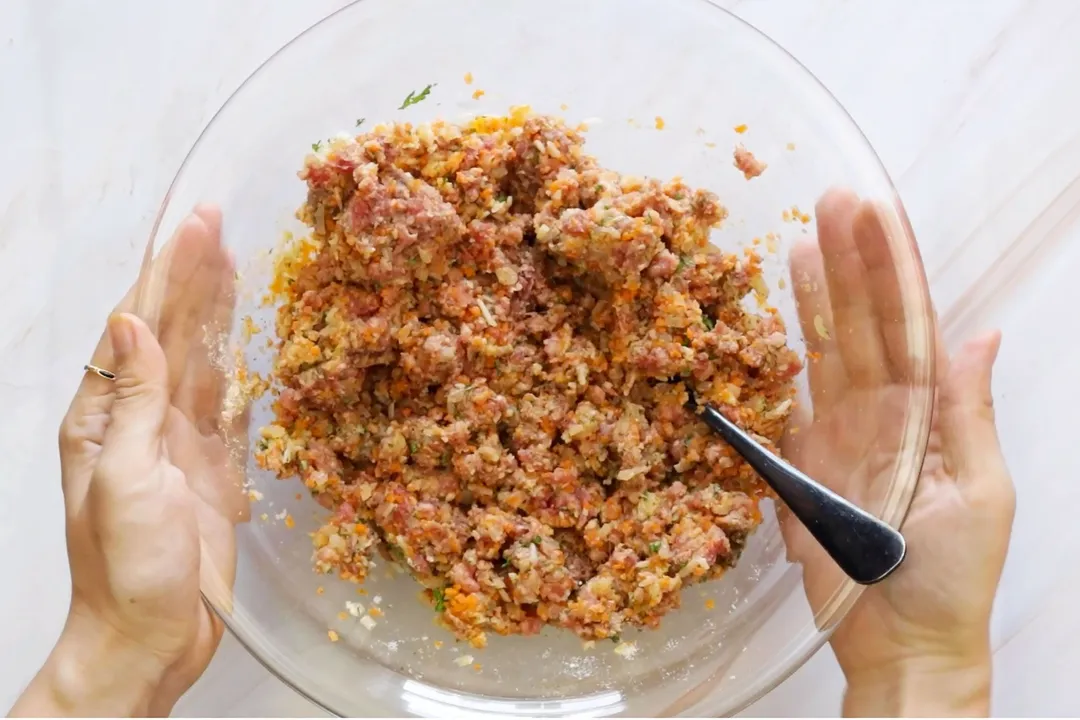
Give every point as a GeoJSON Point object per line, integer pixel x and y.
{"type": "Point", "coordinates": [966, 405]}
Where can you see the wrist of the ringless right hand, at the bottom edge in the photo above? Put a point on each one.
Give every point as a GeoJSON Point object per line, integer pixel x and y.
{"type": "Point", "coordinates": [935, 686]}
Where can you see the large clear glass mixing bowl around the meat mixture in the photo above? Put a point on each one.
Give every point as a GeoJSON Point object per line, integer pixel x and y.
{"type": "Point", "coordinates": [667, 88]}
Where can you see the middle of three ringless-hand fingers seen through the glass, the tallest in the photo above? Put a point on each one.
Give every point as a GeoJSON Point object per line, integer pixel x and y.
{"type": "Point", "coordinates": [857, 331]}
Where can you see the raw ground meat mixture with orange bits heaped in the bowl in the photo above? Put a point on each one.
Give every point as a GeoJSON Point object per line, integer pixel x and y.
{"type": "Point", "coordinates": [483, 359]}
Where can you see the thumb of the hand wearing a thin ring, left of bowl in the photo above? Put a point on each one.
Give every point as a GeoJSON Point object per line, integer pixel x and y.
{"type": "Point", "coordinates": [142, 391]}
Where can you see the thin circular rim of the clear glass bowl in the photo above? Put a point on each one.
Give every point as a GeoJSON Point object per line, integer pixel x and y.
{"type": "Point", "coordinates": [848, 593]}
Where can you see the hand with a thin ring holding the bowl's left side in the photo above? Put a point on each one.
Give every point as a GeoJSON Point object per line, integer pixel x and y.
{"type": "Point", "coordinates": [151, 496]}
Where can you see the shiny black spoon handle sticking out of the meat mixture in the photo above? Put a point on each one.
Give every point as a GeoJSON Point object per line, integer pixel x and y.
{"type": "Point", "coordinates": [867, 549]}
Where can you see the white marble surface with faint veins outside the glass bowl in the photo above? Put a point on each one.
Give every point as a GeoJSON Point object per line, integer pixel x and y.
{"type": "Point", "coordinates": [975, 108]}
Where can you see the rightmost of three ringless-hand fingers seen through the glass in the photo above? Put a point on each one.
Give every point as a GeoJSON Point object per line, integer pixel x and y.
{"type": "Point", "coordinates": [883, 281]}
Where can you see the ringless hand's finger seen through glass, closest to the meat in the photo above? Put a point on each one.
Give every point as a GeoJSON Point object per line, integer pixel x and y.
{"type": "Point", "coordinates": [825, 368]}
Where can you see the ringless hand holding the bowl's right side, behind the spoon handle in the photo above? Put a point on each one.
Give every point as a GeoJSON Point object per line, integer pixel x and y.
{"type": "Point", "coordinates": [920, 642]}
